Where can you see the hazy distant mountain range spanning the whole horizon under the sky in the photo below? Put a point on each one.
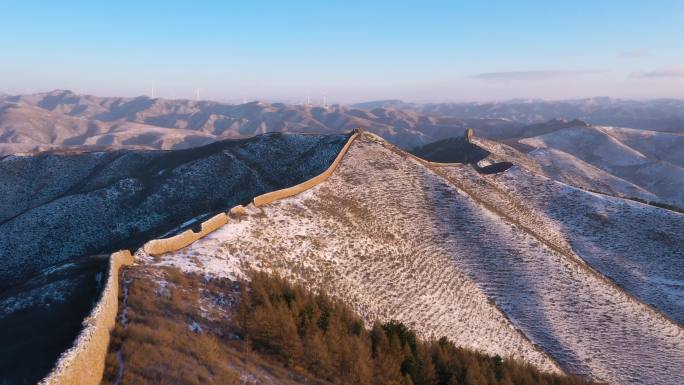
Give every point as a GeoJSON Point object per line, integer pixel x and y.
{"type": "Point", "coordinates": [63, 119]}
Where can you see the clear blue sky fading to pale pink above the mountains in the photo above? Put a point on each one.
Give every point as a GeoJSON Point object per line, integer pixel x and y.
{"type": "Point", "coordinates": [348, 51]}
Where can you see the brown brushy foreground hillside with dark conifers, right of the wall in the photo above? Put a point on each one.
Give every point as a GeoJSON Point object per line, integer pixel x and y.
{"type": "Point", "coordinates": [265, 330]}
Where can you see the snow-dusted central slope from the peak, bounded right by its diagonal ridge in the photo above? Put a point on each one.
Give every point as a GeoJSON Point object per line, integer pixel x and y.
{"type": "Point", "coordinates": [396, 239]}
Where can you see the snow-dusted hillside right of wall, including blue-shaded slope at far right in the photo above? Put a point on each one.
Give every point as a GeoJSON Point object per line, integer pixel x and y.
{"type": "Point", "coordinates": [511, 264]}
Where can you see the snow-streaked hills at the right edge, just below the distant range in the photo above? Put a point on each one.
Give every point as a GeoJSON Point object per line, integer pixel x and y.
{"type": "Point", "coordinates": [653, 161]}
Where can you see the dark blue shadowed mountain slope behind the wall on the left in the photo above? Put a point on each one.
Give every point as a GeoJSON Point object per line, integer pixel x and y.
{"type": "Point", "coordinates": [102, 201]}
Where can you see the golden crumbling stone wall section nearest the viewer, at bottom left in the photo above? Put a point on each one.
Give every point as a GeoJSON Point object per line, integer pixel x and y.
{"type": "Point", "coordinates": [84, 362]}
